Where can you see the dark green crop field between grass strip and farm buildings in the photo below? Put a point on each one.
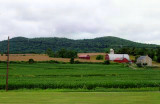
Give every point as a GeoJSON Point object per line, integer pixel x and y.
{"type": "Point", "coordinates": [78, 76]}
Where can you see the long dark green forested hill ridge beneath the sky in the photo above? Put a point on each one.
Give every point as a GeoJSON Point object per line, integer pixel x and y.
{"type": "Point", "coordinates": [39, 45]}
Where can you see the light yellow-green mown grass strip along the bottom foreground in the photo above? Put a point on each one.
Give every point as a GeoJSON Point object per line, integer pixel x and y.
{"type": "Point", "coordinates": [79, 98]}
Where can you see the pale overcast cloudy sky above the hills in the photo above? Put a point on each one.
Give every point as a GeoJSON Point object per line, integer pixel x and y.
{"type": "Point", "coordinates": [136, 20]}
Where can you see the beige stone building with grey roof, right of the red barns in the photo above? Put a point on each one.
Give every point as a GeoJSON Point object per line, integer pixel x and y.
{"type": "Point", "coordinates": [144, 60]}
